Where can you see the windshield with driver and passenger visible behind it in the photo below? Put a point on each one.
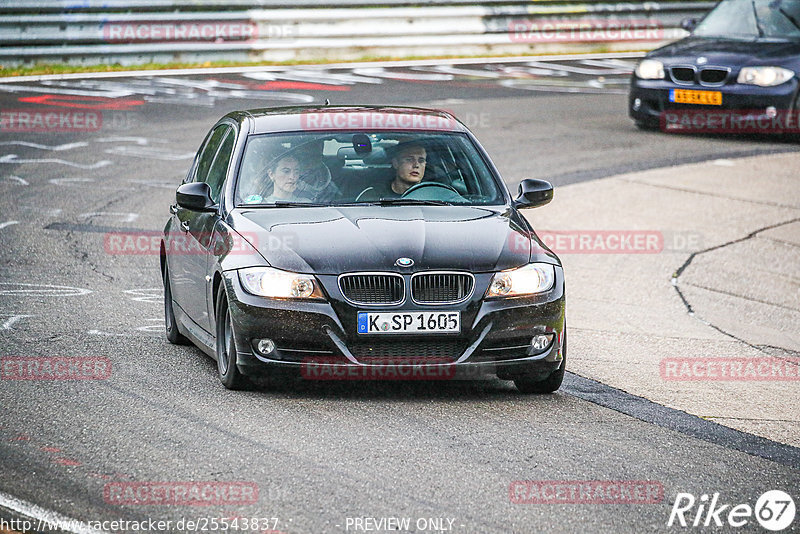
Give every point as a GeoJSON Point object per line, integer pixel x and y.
{"type": "Point", "coordinates": [342, 168]}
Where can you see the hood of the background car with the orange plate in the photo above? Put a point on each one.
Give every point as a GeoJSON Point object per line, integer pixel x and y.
{"type": "Point", "coordinates": [729, 52]}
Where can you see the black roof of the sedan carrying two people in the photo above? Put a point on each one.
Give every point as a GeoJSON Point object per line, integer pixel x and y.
{"type": "Point", "coordinates": [332, 118]}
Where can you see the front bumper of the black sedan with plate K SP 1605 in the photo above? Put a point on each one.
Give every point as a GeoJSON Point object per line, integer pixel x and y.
{"type": "Point", "coordinates": [319, 339]}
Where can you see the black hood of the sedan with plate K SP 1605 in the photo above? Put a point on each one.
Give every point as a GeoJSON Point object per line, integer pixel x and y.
{"type": "Point", "coordinates": [331, 240]}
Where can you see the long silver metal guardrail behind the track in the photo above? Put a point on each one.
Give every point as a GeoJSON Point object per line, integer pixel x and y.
{"type": "Point", "coordinates": [138, 31]}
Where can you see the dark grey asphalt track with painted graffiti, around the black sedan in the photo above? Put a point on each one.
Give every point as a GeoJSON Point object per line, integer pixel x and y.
{"type": "Point", "coordinates": [319, 454]}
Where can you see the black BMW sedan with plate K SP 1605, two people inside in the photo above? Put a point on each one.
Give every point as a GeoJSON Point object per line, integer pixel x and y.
{"type": "Point", "coordinates": [364, 243]}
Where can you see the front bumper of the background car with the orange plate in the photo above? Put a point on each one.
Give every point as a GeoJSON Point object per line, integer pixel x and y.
{"type": "Point", "coordinates": [653, 96]}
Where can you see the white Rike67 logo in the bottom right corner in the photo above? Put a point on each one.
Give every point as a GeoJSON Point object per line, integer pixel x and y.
{"type": "Point", "coordinates": [774, 511]}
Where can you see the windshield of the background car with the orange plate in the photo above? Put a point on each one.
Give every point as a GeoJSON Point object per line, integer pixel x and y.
{"type": "Point", "coordinates": [752, 19]}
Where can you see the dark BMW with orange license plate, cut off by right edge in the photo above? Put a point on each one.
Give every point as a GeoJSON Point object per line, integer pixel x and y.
{"type": "Point", "coordinates": [741, 60]}
